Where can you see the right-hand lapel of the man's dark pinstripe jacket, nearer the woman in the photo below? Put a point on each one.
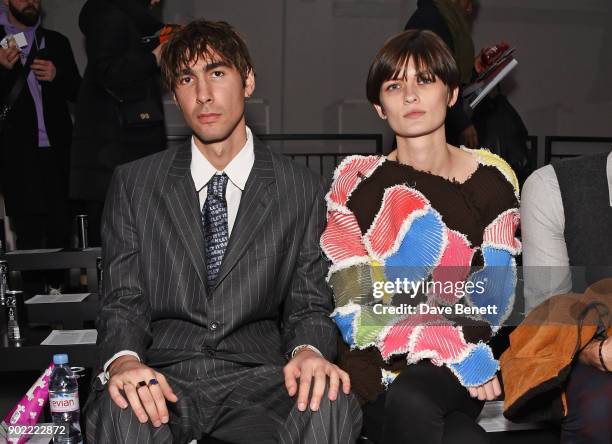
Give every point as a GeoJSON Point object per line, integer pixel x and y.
{"type": "Point", "coordinates": [255, 204]}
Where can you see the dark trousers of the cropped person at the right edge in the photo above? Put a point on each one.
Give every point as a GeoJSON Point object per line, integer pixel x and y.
{"type": "Point", "coordinates": [589, 401]}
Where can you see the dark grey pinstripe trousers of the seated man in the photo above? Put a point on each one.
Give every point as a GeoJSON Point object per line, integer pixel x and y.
{"type": "Point", "coordinates": [227, 401]}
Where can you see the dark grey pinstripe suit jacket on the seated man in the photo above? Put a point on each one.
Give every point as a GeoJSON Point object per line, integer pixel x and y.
{"type": "Point", "coordinates": [270, 294]}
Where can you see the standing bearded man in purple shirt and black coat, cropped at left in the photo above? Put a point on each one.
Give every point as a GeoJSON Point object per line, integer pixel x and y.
{"type": "Point", "coordinates": [36, 134]}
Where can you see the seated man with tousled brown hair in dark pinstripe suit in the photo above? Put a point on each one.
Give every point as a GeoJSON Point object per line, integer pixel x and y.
{"type": "Point", "coordinates": [214, 317]}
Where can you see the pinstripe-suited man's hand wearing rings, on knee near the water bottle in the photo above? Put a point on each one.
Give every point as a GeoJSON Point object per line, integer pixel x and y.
{"type": "Point", "coordinates": [145, 389]}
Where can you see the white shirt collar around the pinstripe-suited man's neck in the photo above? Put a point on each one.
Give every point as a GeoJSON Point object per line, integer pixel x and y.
{"type": "Point", "coordinates": [237, 170]}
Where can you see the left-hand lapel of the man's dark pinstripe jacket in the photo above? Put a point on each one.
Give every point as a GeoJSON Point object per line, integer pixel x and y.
{"type": "Point", "coordinates": [182, 202]}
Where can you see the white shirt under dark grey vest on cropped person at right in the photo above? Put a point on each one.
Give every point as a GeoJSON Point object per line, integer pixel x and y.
{"type": "Point", "coordinates": [545, 258]}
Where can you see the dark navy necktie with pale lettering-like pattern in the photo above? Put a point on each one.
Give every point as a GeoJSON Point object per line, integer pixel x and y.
{"type": "Point", "coordinates": [214, 220]}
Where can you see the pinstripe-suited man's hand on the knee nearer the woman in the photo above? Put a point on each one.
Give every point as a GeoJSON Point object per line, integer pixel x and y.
{"type": "Point", "coordinates": [312, 370]}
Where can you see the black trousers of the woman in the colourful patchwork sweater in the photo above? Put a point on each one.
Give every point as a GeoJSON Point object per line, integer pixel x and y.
{"type": "Point", "coordinates": [425, 404]}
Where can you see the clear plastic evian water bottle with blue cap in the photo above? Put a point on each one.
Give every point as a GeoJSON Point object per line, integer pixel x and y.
{"type": "Point", "coordinates": [64, 402]}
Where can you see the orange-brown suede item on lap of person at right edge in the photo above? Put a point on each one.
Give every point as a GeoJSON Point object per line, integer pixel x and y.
{"type": "Point", "coordinates": [543, 348]}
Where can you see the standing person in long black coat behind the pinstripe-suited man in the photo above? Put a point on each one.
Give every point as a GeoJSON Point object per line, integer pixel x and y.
{"type": "Point", "coordinates": [119, 116]}
